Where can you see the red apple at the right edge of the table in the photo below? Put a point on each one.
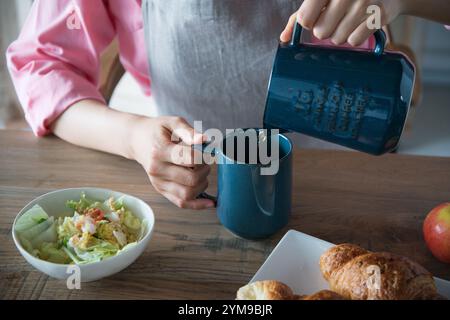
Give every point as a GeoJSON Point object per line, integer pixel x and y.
{"type": "Point", "coordinates": [436, 230]}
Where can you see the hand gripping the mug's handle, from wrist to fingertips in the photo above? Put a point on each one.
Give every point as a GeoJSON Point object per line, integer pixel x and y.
{"type": "Point", "coordinates": [162, 145]}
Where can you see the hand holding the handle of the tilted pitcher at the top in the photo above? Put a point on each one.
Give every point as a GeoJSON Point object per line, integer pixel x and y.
{"type": "Point", "coordinates": [341, 20]}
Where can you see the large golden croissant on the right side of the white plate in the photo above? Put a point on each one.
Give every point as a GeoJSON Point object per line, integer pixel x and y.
{"type": "Point", "coordinates": [358, 274]}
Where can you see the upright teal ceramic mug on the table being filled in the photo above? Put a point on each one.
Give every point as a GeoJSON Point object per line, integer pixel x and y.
{"type": "Point", "coordinates": [254, 199]}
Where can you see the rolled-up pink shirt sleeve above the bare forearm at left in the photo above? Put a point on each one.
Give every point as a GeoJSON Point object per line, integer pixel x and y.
{"type": "Point", "coordinates": [55, 61]}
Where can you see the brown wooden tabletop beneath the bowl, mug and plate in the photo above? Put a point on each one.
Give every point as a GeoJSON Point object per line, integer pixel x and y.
{"type": "Point", "coordinates": [376, 202]}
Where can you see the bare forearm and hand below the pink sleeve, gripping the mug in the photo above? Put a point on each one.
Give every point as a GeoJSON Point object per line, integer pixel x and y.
{"type": "Point", "coordinates": [150, 141]}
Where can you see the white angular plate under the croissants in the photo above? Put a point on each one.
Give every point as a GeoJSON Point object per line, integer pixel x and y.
{"type": "Point", "coordinates": [295, 262]}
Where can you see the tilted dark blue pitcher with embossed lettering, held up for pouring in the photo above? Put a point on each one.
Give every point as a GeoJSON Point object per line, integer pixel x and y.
{"type": "Point", "coordinates": [355, 98]}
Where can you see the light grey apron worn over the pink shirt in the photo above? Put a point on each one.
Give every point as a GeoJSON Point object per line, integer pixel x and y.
{"type": "Point", "coordinates": [211, 60]}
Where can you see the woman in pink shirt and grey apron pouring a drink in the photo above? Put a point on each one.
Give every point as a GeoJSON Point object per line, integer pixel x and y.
{"type": "Point", "coordinates": [202, 60]}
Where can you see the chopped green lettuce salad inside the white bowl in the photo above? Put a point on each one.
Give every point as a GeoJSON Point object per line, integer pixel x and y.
{"type": "Point", "coordinates": [95, 231]}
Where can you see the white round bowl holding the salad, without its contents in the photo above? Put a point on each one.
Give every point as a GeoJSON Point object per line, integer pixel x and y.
{"type": "Point", "coordinates": [54, 203]}
